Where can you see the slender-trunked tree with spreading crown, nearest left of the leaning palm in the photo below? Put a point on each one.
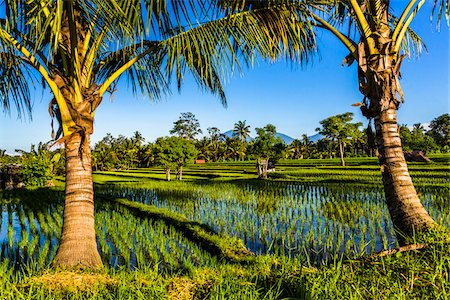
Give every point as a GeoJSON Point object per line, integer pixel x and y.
{"type": "Point", "coordinates": [340, 129]}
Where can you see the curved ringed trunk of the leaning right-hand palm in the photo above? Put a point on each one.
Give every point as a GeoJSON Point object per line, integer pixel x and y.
{"type": "Point", "coordinates": [406, 210]}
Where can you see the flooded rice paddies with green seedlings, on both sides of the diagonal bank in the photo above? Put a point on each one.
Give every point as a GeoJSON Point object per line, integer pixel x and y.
{"type": "Point", "coordinates": [313, 222]}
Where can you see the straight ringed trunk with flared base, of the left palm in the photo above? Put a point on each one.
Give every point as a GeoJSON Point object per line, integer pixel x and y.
{"type": "Point", "coordinates": [78, 246]}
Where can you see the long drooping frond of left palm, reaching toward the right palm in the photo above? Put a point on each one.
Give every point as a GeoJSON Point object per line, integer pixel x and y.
{"type": "Point", "coordinates": [269, 32]}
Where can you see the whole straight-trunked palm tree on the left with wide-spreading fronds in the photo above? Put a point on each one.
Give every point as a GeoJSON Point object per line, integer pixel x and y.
{"type": "Point", "coordinates": [81, 49]}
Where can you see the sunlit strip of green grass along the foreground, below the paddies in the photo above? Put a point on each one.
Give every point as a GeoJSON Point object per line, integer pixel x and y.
{"type": "Point", "coordinates": [409, 275]}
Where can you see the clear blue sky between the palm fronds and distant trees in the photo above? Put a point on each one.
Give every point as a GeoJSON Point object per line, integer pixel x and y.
{"type": "Point", "coordinates": [292, 98]}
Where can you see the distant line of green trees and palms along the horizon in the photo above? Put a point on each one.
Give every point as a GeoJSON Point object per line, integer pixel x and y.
{"type": "Point", "coordinates": [340, 138]}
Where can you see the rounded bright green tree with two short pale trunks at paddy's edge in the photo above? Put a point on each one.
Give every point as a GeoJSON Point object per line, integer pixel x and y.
{"type": "Point", "coordinates": [173, 152]}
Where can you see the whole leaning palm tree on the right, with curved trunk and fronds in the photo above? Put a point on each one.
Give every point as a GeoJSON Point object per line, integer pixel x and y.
{"type": "Point", "coordinates": [377, 41]}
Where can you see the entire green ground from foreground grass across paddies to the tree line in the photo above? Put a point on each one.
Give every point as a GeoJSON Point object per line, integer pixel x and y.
{"type": "Point", "coordinates": [308, 232]}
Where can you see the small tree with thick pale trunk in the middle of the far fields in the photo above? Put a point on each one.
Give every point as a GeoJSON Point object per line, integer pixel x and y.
{"type": "Point", "coordinates": [267, 146]}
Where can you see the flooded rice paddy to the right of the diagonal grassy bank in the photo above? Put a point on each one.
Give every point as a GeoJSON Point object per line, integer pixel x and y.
{"type": "Point", "coordinates": [285, 218]}
